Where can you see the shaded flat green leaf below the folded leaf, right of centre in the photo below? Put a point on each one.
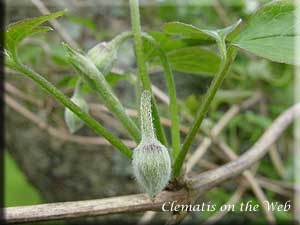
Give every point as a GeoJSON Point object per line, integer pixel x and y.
{"type": "Point", "coordinates": [194, 60]}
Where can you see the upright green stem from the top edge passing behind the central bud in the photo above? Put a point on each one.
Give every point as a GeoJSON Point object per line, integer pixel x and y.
{"type": "Point", "coordinates": [142, 68]}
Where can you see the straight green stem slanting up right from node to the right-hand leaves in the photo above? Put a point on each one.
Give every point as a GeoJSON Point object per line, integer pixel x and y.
{"type": "Point", "coordinates": [215, 85]}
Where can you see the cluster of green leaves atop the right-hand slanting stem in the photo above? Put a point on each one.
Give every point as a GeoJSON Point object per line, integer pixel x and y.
{"type": "Point", "coordinates": [269, 34]}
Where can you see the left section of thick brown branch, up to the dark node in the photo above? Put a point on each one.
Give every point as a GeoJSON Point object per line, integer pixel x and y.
{"type": "Point", "coordinates": [100, 207]}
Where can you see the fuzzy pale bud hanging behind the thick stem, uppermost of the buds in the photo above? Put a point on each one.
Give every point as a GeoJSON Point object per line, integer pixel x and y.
{"type": "Point", "coordinates": [104, 56]}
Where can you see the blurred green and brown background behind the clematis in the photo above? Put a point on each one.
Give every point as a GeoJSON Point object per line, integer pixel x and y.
{"type": "Point", "coordinates": [44, 163]}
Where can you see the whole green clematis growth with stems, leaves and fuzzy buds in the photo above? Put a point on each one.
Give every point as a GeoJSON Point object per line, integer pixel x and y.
{"type": "Point", "coordinates": [157, 160]}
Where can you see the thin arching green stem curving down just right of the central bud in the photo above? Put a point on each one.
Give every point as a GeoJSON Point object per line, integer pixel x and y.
{"type": "Point", "coordinates": [172, 93]}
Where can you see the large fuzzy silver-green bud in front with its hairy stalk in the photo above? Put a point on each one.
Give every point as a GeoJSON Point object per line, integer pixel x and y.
{"type": "Point", "coordinates": [151, 161]}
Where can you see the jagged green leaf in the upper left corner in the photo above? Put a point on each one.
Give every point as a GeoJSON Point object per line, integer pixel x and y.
{"type": "Point", "coordinates": [18, 31]}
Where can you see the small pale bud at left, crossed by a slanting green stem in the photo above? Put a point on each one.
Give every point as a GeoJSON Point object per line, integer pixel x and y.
{"type": "Point", "coordinates": [74, 123]}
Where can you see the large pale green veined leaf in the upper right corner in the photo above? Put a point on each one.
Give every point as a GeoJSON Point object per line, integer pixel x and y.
{"type": "Point", "coordinates": [271, 33]}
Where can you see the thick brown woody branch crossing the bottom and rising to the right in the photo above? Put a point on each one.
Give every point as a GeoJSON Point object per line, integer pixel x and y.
{"type": "Point", "coordinates": [136, 203]}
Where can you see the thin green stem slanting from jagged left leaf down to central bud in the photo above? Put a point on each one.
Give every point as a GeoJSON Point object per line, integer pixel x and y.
{"type": "Point", "coordinates": [59, 96]}
